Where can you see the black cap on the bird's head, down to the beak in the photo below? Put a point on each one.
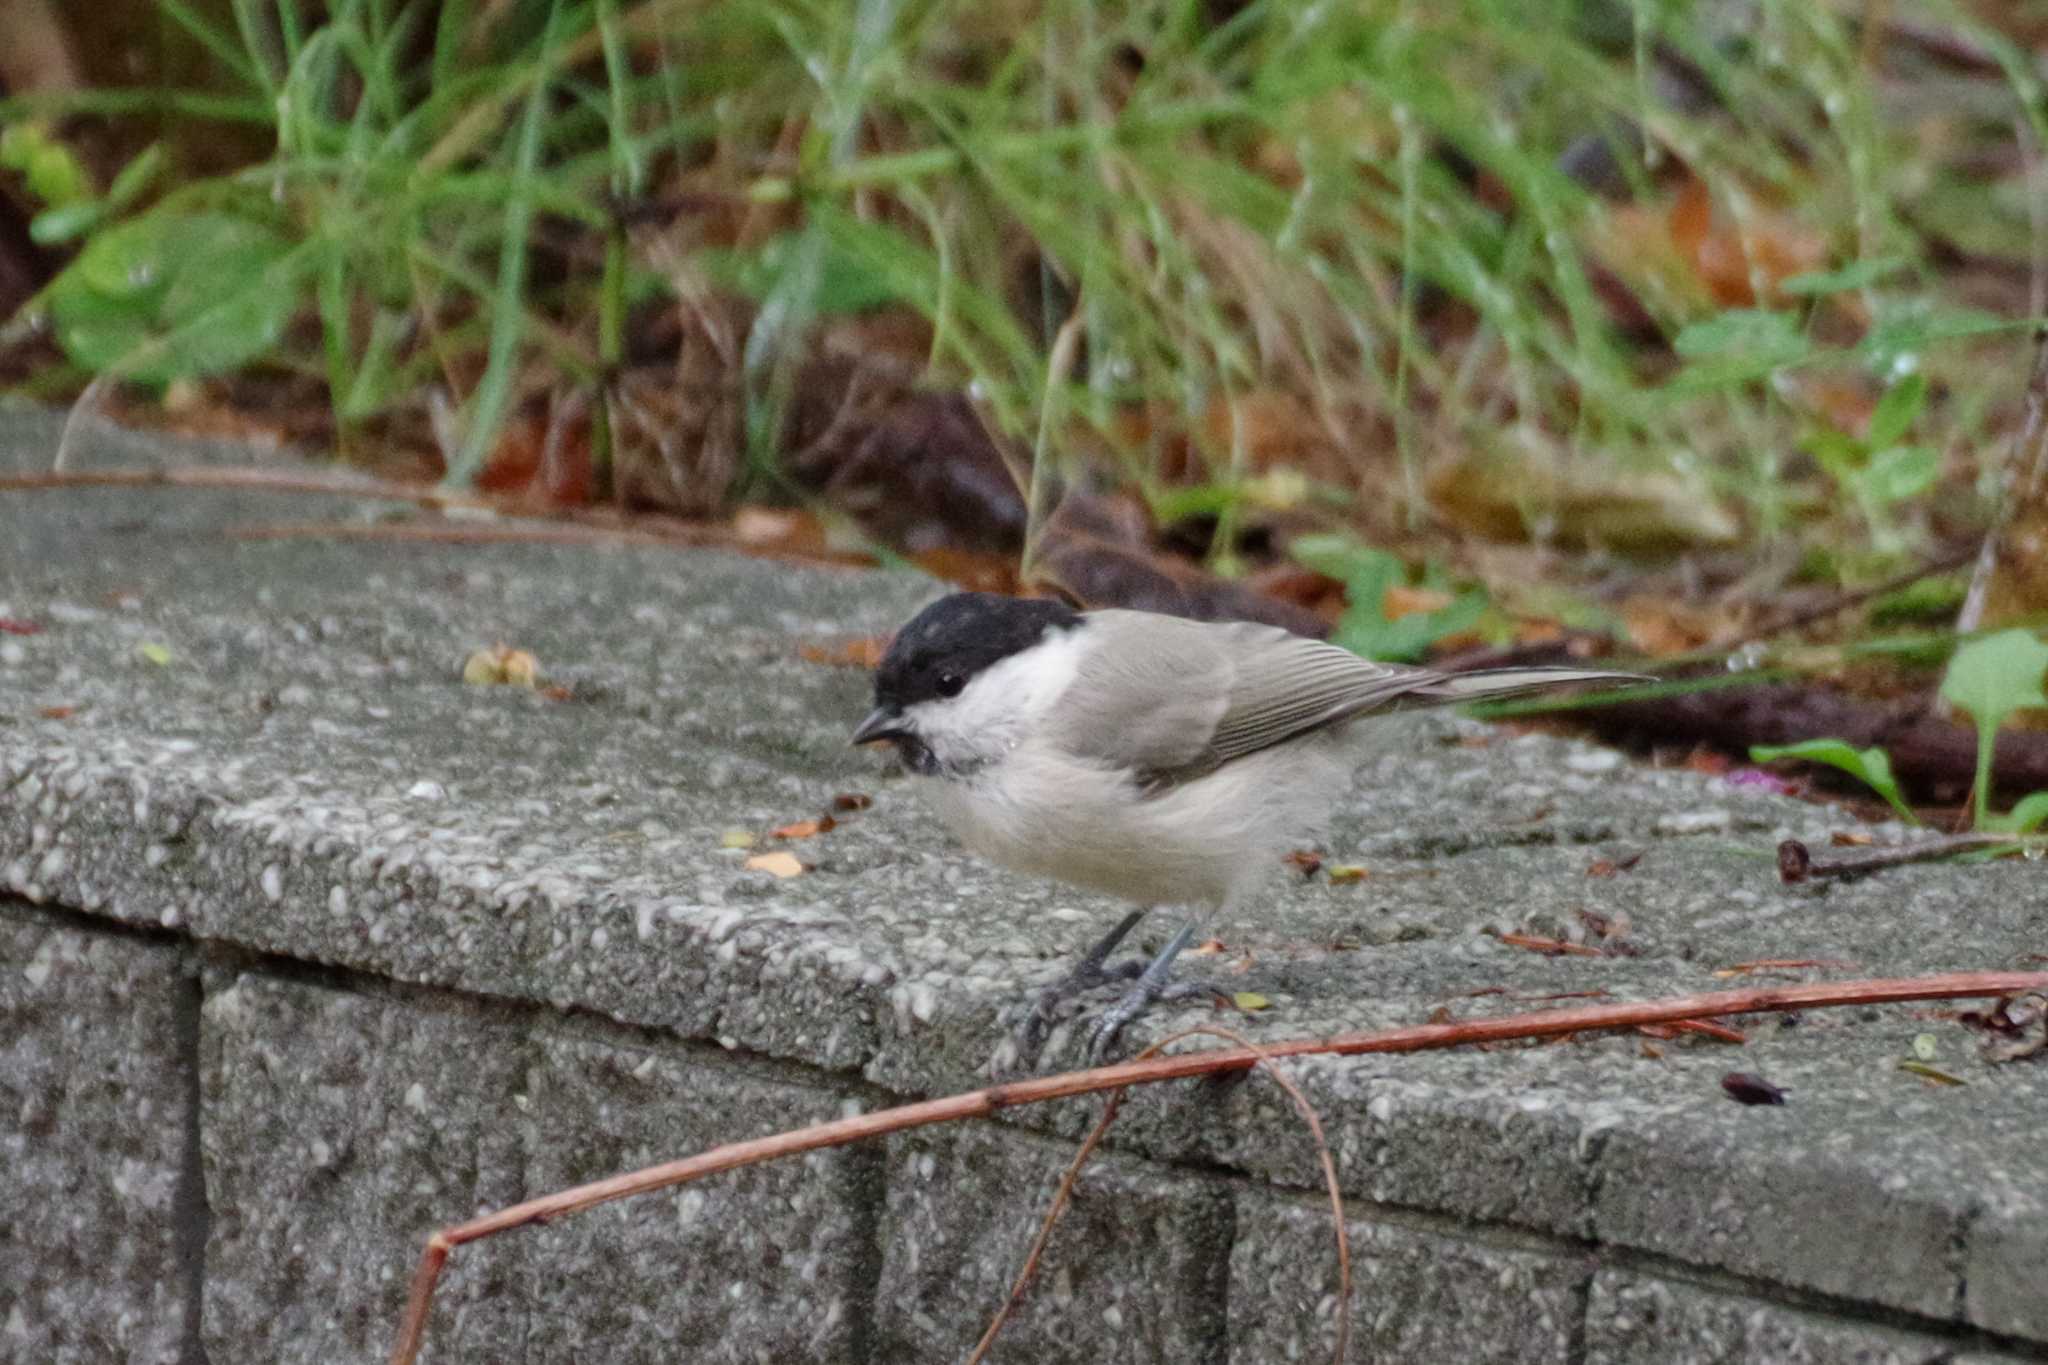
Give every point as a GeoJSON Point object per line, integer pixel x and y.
{"type": "Point", "coordinates": [945, 646]}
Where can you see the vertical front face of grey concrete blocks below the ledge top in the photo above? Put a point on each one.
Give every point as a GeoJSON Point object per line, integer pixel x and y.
{"type": "Point", "coordinates": [218, 1157]}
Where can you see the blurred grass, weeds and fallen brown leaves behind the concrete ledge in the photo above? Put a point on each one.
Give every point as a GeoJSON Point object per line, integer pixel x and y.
{"type": "Point", "coordinates": [1635, 314]}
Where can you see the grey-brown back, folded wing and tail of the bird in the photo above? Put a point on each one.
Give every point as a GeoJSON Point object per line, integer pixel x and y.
{"type": "Point", "coordinates": [1177, 699]}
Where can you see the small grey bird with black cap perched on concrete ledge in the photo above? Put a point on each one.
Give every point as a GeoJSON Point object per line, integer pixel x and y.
{"type": "Point", "coordinates": [1152, 758]}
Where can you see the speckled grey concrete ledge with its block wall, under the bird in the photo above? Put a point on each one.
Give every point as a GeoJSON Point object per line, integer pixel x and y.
{"type": "Point", "coordinates": [337, 949]}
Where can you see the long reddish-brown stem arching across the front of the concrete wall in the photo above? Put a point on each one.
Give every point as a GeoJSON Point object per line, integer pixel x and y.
{"type": "Point", "coordinates": [1039, 1090]}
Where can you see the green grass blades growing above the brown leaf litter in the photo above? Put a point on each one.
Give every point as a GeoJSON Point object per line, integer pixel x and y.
{"type": "Point", "coordinates": [1363, 210]}
